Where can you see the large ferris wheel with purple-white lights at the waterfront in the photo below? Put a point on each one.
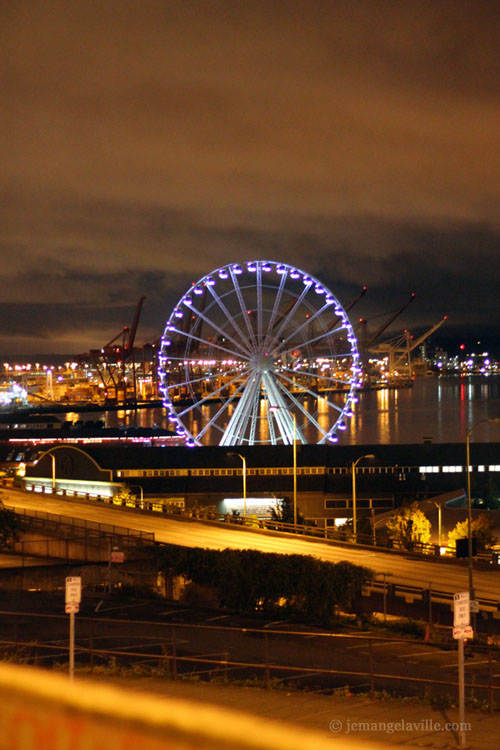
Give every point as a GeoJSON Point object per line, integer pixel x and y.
{"type": "Point", "coordinates": [258, 353]}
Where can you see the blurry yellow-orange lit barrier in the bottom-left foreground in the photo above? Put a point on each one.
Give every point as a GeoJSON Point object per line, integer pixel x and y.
{"type": "Point", "coordinates": [45, 711]}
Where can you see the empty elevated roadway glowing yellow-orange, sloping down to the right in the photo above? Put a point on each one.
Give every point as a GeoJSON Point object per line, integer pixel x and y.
{"type": "Point", "coordinates": [449, 577]}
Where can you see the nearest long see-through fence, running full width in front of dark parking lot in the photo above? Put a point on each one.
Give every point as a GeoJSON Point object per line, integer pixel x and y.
{"type": "Point", "coordinates": [321, 661]}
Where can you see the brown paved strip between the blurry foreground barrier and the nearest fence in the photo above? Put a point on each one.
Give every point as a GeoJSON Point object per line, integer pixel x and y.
{"type": "Point", "coordinates": [389, 722]}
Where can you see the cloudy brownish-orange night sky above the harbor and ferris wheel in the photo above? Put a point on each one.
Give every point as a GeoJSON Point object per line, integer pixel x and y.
{"type": "Point", "coordinates": [146, 143]}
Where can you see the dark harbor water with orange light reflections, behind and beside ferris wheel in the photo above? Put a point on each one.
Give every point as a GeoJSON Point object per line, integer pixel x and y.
{"type": "Point", "coordinates": [438, 408]}
